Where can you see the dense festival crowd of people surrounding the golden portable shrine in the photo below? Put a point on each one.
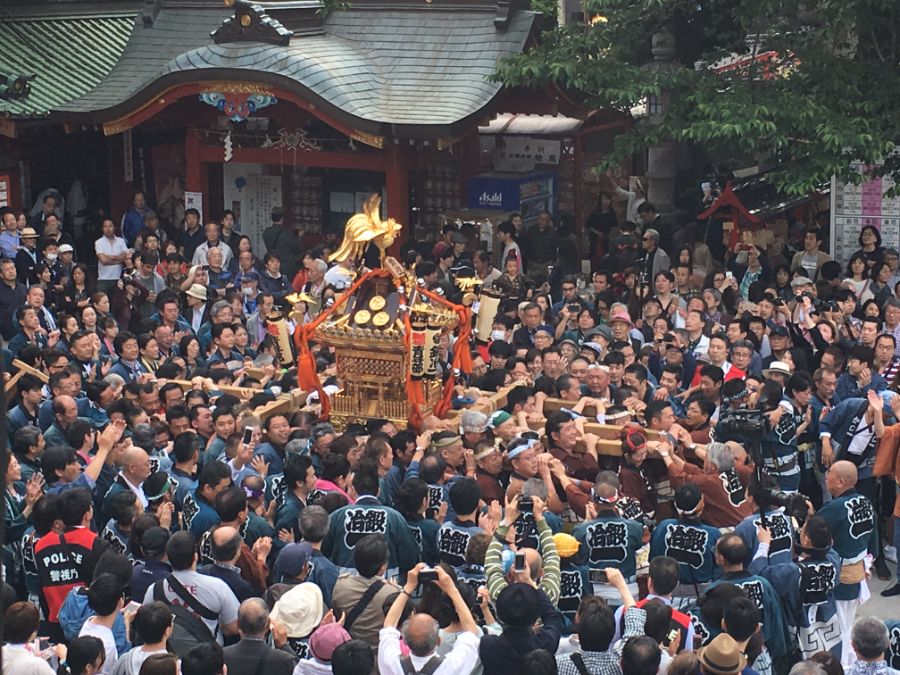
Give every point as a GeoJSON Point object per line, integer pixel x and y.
{"type": "Point", "coordinates": [157, 522]}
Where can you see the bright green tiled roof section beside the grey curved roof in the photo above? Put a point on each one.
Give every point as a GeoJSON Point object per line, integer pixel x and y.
{"type": "Point", "coordinates": [70, 56]}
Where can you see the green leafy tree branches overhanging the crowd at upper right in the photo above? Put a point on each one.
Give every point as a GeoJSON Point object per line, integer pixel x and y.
{"type": "Point", "coordinates": [806, 87]}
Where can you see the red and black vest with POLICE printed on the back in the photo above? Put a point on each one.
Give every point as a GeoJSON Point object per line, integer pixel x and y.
{"type": "Point", "coordinates": [65, 561]}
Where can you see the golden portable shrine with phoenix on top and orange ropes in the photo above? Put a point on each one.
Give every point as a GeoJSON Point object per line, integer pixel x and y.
{"type": "Point", "coordinates": [387, 333]}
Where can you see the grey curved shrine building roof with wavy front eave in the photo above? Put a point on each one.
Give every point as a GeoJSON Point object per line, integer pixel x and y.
{"type": "Point", "coordinates": [375, 66]}
